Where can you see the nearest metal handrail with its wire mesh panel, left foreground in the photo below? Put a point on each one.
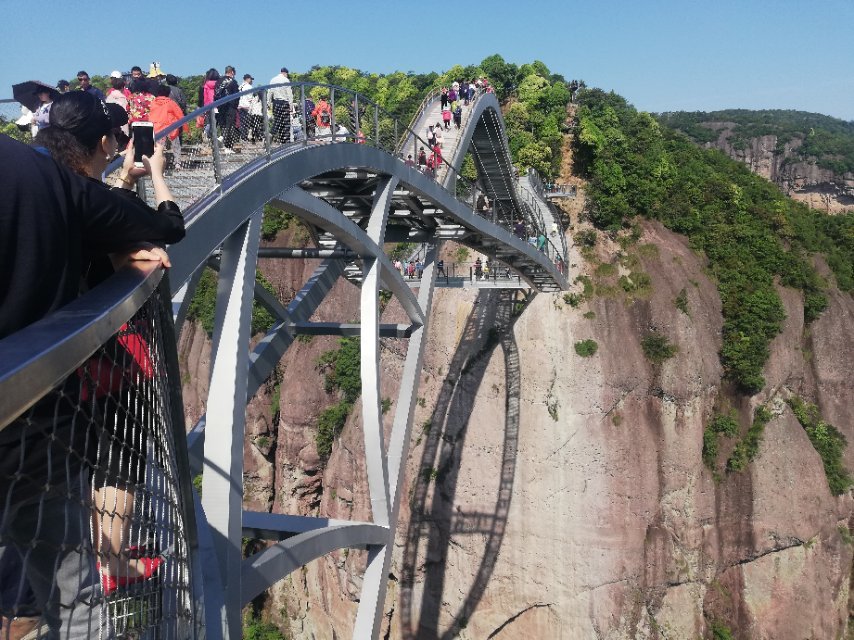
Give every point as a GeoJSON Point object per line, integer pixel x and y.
{"type": "Point", "coordinates": [104, 426]}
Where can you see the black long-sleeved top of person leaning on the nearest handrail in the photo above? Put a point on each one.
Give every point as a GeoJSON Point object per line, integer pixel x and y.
{"type": "Point", "coordinates": [53, 223]}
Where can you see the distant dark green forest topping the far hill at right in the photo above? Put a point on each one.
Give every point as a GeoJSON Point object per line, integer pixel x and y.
{"type": "Point", "coordinates": [829, 142]}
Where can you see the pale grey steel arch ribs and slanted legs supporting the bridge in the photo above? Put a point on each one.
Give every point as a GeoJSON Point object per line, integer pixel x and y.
{"type": "Point", "coordinates": [225, 223]}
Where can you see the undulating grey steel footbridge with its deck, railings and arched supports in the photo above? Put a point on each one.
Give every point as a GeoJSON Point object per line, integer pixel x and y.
{"type": "Point", "coordinates": [355, 193]}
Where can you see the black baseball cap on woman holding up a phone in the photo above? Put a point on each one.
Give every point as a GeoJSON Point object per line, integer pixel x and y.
{"type": "Point", "coordinates": [86, 116]}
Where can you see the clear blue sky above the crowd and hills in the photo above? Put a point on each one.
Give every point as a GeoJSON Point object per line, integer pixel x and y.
{"type": "Point", "coordinates": [661, 55]}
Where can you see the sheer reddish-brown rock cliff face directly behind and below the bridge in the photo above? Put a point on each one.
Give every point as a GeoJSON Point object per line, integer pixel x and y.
{"type": "Point", "coordinates": [550, 495]}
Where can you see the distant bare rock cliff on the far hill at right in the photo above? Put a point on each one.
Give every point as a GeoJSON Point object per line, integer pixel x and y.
{"type": "Point", "coordinates": [819, 188]}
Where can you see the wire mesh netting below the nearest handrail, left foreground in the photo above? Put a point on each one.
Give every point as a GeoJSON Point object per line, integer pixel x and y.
{"type": "Point", "coordinates": [93, 536]}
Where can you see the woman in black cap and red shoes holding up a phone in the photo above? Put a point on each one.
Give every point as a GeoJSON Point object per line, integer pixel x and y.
{"type": "Point", "coordinates": [82, 135]}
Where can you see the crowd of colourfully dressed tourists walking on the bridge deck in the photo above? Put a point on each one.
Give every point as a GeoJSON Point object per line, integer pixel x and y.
{"type": "Point", "coordinates": [156, 97]}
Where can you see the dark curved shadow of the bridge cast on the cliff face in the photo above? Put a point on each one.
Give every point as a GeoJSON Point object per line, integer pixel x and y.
{"type": "Point", "coordinates": [433, 516]}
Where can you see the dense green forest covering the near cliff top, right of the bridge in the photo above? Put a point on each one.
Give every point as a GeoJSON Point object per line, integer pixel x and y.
{"type": "Point", "coordinates": [751, 234]}
